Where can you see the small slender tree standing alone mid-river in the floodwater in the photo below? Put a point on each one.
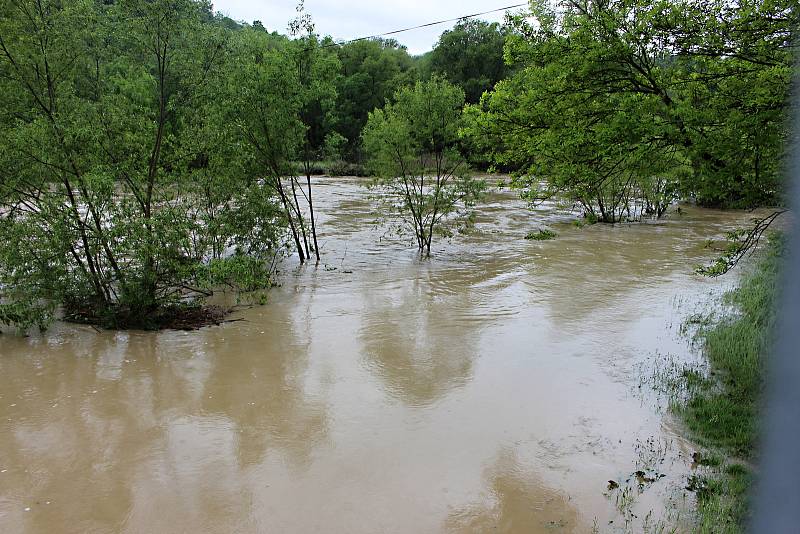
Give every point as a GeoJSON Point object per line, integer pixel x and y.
{"type": "Point", "coordinates": [412, 148]}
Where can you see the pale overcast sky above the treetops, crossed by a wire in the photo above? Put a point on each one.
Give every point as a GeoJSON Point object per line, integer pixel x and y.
{"type": "Point", "coordinates": [360, 18]}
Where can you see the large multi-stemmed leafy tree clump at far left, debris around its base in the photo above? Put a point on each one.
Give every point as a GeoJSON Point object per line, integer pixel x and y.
{"type": "Point", "coordinates": [111, 208]}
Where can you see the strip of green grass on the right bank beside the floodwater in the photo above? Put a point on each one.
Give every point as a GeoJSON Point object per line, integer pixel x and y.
{"type": "Point", "coordinates": [722, 409]}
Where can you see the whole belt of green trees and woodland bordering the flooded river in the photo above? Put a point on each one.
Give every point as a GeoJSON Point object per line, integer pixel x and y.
{"type": "Point", "coordinates": [152, 151]}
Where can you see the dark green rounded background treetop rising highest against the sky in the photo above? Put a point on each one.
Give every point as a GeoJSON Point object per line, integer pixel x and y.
{"type": "Point", "coordinates": [471, 56]}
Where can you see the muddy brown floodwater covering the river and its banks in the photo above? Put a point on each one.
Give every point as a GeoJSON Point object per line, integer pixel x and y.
{"type": "Point", "coordinates": [498, 386]}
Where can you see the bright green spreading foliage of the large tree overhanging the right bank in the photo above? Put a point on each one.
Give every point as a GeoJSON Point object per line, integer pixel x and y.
{"type": "Point", "coordinates": [620, 106]}
